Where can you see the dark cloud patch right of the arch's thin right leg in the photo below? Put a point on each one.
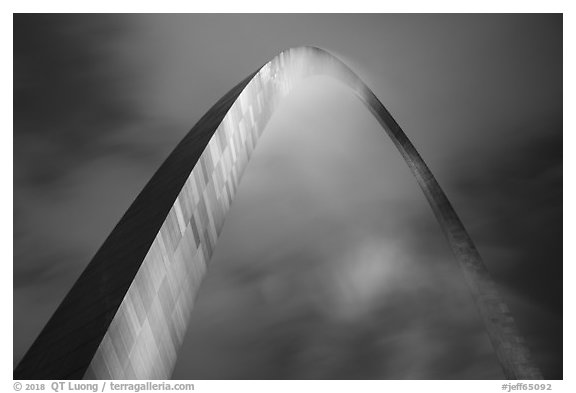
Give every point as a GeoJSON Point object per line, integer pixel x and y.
{"type": "Point", "coordinates": [513, 209]}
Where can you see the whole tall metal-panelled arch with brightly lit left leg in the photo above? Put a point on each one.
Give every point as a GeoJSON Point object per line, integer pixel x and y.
{"type": "Point", "coordinates": [126, 316]}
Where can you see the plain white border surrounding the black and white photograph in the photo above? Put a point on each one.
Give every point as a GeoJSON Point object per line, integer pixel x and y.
{"type": "Point", "coordinates": [302, 6]}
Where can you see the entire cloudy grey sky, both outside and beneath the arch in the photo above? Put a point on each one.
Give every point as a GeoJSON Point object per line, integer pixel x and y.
{"type": "Point", "coordinates": [330, 264]}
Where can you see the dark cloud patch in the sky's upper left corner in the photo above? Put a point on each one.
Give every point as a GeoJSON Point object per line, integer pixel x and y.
{"type": "Point", "coordinates": [72, 96]}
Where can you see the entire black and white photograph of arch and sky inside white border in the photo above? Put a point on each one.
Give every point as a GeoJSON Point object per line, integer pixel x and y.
{"type": "Point", "coordinates": [315, 196]}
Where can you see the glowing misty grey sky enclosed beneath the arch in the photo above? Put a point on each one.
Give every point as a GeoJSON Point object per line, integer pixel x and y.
{"type": "Point", "coordinates": [331, 264]}
